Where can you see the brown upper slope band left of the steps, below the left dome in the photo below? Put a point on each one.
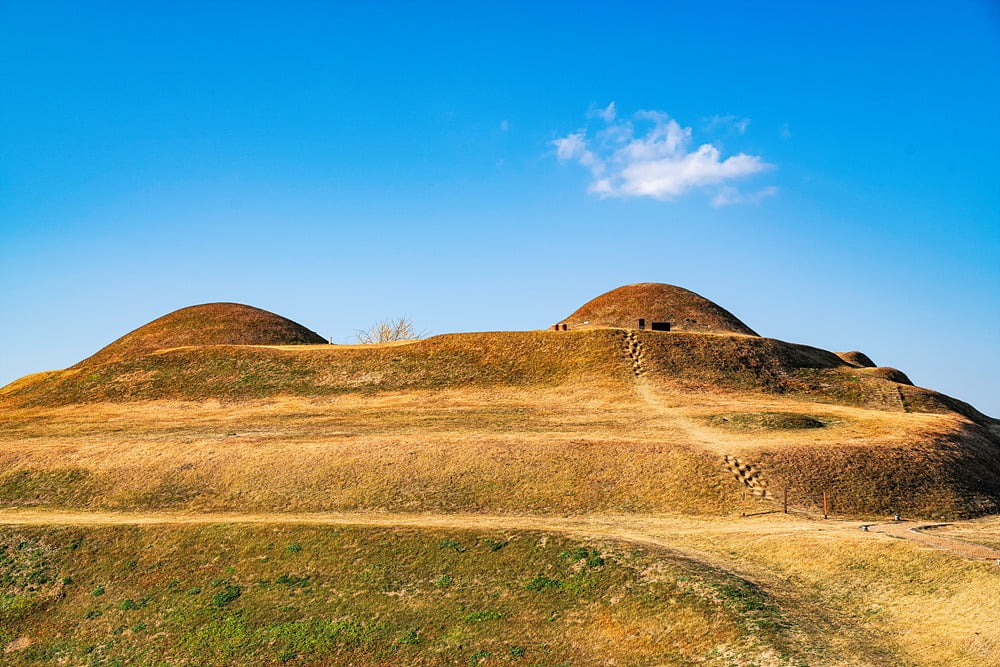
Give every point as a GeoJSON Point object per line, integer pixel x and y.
{"type": "Point", "coordinates": [235, 372]}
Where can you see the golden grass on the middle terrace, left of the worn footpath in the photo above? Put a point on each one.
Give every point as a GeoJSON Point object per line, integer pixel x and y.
{"type": "Point", "coordinates": [514, 450]}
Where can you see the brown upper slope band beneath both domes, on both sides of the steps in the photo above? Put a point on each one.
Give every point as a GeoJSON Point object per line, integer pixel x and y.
{"type": "Point", "coordinates": [691, 362]}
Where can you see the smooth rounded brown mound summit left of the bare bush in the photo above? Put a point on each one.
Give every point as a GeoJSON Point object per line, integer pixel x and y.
{"type": "Point", "coordinates": [207, 324]}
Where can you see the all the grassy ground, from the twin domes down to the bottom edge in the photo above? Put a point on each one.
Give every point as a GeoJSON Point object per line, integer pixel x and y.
{"type": "Point", "coordinates": [219, 487]}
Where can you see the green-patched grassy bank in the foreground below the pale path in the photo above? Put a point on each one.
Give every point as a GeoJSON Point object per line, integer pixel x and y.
{"type": "Point", "coordinates": [222, 595]}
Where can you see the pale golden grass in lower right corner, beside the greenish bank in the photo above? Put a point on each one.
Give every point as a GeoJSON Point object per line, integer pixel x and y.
{"type": "Point", "coordinates": [928, 607]}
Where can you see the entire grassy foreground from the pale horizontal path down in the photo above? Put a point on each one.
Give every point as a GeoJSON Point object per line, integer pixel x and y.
{"type": "Point", "coordinates": [762, 591]}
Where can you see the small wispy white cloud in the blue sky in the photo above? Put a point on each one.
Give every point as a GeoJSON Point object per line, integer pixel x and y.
{"type": "Point", "coordinates": [651, 155]}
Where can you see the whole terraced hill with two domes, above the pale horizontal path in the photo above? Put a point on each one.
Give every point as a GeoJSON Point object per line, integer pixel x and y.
{"type": "Point", "coordinates": [221, 407]}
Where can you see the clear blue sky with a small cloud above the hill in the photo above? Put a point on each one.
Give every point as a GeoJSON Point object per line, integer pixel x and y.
{"type": "Point", "coordinates": [827, 171]}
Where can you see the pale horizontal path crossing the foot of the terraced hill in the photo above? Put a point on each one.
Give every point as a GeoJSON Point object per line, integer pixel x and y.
{"type": "Point", "coordinates": [653, 530]}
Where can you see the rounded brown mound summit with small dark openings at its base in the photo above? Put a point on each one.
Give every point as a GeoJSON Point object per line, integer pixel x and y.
{"type": "Point", "coordinates": [672, 308]}
